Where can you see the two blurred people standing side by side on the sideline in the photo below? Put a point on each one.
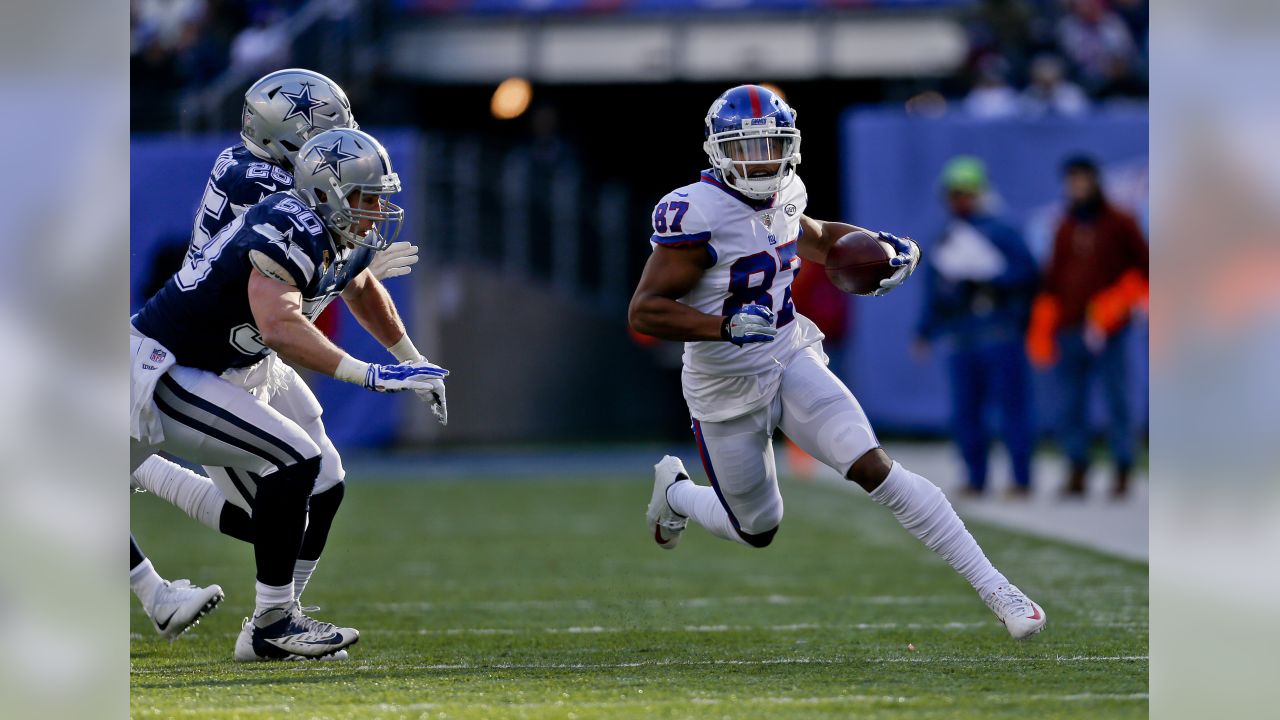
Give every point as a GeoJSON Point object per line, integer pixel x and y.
{"type": "Point", "coordinates": [994, 309]}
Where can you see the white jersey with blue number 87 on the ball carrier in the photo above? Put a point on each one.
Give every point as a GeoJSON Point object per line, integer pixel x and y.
{"type": "Point", "coordinates": [753, 248]}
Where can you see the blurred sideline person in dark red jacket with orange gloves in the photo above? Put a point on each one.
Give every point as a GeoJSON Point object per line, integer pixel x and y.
{"type": "Point", "coordinates": [1096, 277]}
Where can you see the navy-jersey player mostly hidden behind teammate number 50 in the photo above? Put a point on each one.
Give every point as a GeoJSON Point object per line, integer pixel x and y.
{"type": "Point", "coordinates": [281, 111]}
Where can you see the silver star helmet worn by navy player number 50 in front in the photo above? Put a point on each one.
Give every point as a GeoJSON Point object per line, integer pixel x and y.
{"type": "Point", "coordinates": [337, 163]}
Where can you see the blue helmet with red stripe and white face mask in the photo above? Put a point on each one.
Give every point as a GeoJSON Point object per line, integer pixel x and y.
{"type": "Point", "coordinates": [753, 142]}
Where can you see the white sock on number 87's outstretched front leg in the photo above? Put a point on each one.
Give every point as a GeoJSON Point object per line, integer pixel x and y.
{"type": "Point", "coordinates": [925, 512]}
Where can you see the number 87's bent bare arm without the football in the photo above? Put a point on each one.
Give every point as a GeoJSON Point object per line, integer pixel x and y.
{"type": "Point", "coordinates": [670, 275]}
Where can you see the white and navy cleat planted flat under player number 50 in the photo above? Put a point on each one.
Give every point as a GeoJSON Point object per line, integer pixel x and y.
{"type": "Point", "coordinates": [287, 634]}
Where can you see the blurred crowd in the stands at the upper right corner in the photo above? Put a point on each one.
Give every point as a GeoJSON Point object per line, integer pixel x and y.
{"type": "Point", "coordinates": [1035, 58]}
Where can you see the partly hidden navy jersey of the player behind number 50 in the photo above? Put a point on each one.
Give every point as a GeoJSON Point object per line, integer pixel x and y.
{"type": "Point", "coordinates": [239, 181]}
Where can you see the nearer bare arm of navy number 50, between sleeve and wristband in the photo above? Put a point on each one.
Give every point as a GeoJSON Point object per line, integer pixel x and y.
{"type": "Point", "coordinates": [277, 309]}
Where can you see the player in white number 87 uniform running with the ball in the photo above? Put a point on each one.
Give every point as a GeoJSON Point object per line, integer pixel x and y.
{"type": "Point", "coordinates": [725, 252]}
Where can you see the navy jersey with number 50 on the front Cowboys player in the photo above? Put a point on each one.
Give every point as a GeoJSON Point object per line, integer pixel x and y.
{"type": "Point", "coordinates": [203, 315]}
